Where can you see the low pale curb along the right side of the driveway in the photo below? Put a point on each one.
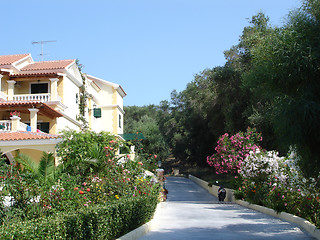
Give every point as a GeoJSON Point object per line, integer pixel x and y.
{"type": "Point", "coordinates": [306, 225]}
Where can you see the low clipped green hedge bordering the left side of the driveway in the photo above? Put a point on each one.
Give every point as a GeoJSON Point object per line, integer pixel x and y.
{"type": "Point", "coordinates": [98, 222]}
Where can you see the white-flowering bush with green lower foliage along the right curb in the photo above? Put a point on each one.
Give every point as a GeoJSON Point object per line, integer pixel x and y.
{"type": "Point", "coordinates": [278, 183]}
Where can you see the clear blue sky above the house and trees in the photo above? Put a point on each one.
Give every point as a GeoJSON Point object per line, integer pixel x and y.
{"type": "Point", "coordinates": [149, 47]}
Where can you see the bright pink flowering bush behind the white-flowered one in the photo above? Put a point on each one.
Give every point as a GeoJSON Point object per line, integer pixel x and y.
{"type": "Point", "coordinates": [231, 151]}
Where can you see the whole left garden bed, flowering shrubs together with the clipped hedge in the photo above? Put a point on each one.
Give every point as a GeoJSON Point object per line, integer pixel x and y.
{"type": "Point", "coordinates": [67, 200]}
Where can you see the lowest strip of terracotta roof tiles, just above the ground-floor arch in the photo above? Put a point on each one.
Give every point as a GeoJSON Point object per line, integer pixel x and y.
{"type": "Point", "coordinates": [23, 135]}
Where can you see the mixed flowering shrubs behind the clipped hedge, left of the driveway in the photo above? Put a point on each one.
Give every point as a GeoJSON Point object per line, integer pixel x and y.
{"type": "Point", "coordinates": [98, 179]}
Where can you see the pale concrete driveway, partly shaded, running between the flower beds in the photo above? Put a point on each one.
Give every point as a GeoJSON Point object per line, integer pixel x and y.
{"type": "Point", "coordinates": [192, 213]}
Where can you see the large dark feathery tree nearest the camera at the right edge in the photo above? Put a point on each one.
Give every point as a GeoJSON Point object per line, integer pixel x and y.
{"type": "Point", "coordinates": [285, 77]}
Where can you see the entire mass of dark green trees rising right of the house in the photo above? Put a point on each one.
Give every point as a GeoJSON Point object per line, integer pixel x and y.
{"type": "Point", "coordinates": [270, 82]}
